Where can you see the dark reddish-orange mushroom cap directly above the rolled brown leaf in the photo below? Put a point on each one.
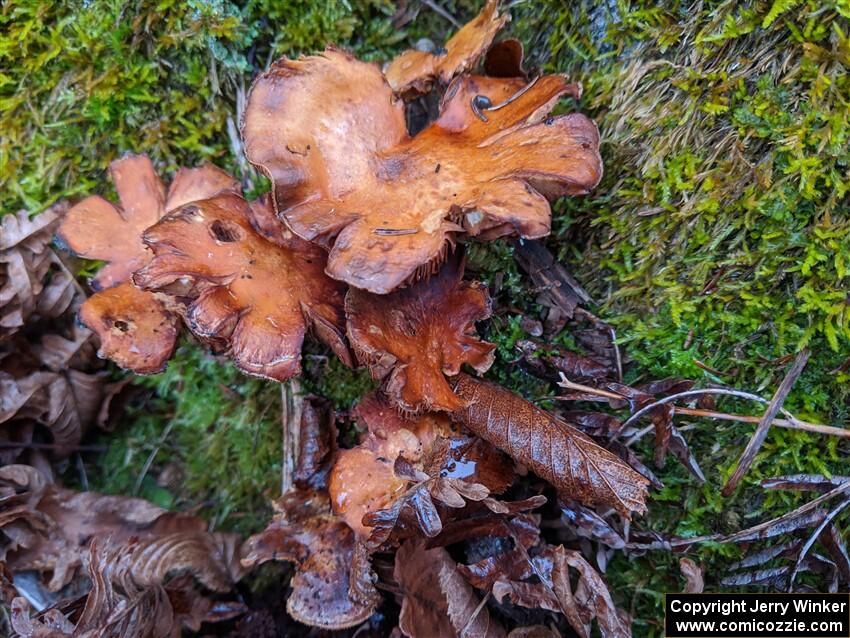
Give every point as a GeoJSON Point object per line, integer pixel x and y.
{"type": "Point", "coordinates": [415, 336]}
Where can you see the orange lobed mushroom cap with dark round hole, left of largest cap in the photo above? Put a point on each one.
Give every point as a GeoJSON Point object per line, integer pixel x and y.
{"type": "Point", "coordinates": [255, 293]}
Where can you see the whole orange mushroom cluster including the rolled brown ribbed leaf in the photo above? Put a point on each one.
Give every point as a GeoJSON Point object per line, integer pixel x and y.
{"type": "Point", "coordinates": [358, 242]}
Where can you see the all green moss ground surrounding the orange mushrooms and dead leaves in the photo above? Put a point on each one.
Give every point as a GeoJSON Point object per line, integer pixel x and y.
{"type": "Point", "coordinates": [717, 243]}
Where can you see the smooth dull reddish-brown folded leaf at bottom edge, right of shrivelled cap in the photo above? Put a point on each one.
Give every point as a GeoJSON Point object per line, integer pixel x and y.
{"type": "Point", "coordinates": [436, 600]}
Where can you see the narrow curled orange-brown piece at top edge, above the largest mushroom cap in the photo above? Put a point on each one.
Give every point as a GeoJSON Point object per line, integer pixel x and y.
{"type": "Point", "coordinates": [414, 72]}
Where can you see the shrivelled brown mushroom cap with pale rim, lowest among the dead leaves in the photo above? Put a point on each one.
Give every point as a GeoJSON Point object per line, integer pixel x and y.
{"type": "Point", "coordinates": [306, 532]}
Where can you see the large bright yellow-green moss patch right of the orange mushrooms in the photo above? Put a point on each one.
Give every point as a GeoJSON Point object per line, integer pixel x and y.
{"type": "Point", "coordinates": [724, 207]}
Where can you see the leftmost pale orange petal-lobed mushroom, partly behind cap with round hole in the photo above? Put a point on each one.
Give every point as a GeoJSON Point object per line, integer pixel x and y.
{"type": "Point", "coordinates": [137, 329]}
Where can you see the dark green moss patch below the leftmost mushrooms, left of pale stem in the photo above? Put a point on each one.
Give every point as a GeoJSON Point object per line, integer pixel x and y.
{"type": "Point", "coordinates": [199, 436]}
